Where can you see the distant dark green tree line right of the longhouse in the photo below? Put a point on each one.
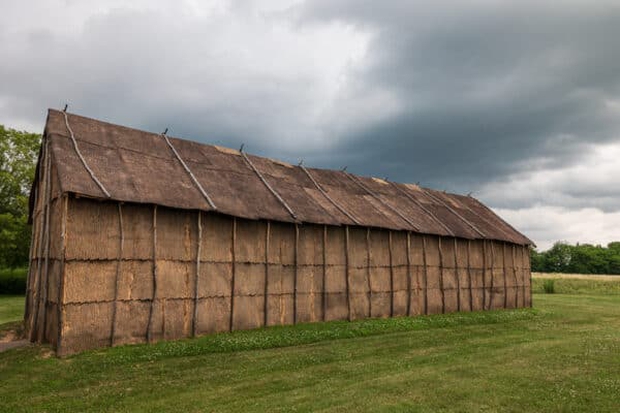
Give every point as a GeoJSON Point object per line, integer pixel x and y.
{"type": "Point", "coordinates": [578, 258]}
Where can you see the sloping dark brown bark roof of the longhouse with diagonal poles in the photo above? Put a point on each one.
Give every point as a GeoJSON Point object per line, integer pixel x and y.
{"type": "Point", "coordinates": [137, 166]}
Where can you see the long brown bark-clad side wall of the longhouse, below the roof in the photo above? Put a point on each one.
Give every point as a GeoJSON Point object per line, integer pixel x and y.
{"type": "Point", "coordinates": [141, 273]}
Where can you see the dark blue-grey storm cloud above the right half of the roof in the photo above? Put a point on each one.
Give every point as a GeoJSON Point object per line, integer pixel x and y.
{"type": "Point", "coordinates": [484, 87]}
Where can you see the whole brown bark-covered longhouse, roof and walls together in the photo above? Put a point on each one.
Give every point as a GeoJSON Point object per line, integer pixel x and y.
{"type": "Point", "coordinates": [110, 270]}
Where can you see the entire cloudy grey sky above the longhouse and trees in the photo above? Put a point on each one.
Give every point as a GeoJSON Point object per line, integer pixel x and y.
{"type": "Point", "coordinates": [515, 102]}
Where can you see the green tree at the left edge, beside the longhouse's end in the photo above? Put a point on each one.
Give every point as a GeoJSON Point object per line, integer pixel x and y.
{"type": "Point", "coordinates": [18, 156]}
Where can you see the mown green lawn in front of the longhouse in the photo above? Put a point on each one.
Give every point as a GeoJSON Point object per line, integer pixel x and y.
{"type": "Point", "coordinates": [563, 355]}
